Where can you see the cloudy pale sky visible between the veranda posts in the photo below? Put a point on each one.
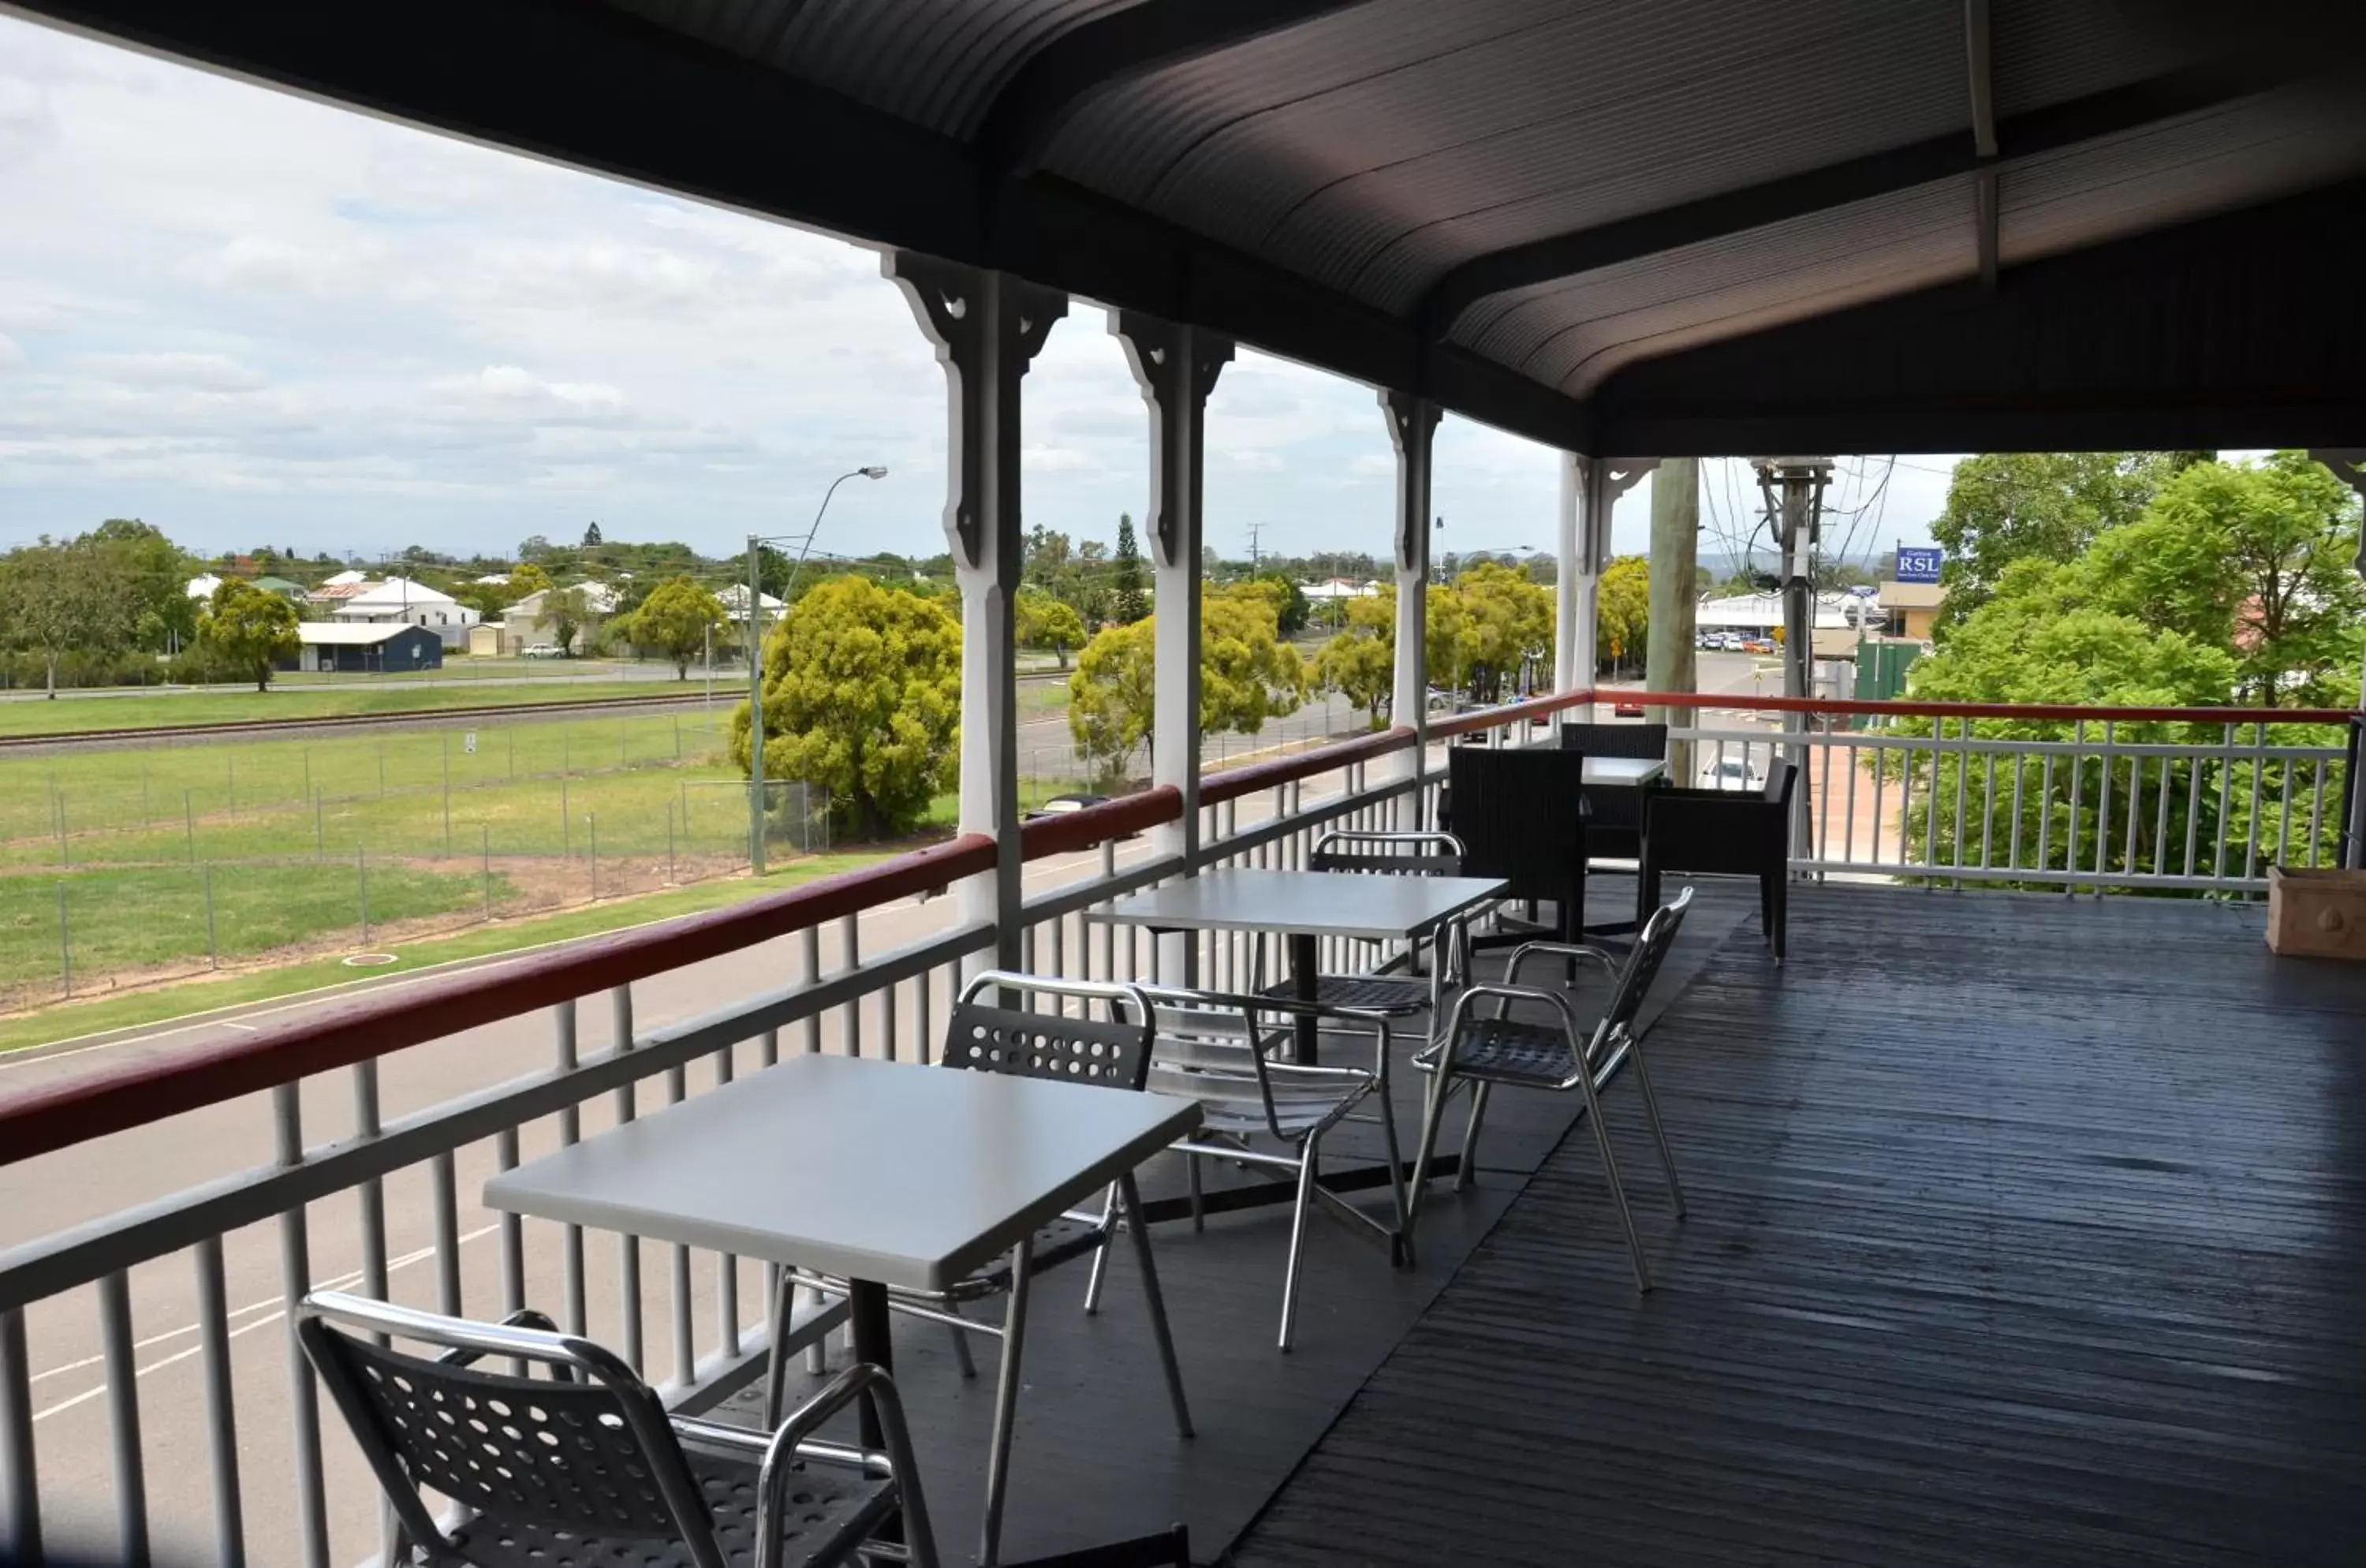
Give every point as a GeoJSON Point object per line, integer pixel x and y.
{"type": "Point", "coordinates": [259, 320]}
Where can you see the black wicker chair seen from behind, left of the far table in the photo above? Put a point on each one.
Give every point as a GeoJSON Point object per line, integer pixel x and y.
{"type": "Point", "coordinates": [1523, 819]}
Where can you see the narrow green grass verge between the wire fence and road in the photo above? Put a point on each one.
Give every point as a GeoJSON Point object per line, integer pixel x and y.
{"type": "Point", "coordinates": [138, 1009]}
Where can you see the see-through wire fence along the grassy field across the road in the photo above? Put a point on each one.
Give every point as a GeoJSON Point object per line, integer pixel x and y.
{"type": "Point", "coordinates": [122, 869]}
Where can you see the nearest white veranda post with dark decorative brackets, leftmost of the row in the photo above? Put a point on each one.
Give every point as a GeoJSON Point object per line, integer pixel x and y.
{"type": "Point", "coordinates": [988, 330]}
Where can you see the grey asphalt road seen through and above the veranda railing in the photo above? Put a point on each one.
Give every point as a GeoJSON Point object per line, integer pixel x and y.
{"type": "Point", "coordinates": [108, 1177]}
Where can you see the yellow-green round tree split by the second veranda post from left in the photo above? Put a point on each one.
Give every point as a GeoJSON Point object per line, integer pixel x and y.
{"type": "Point", "coordinates": [1248, 675]}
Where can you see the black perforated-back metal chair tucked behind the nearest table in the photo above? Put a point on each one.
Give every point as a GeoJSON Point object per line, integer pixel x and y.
{"type": "Point", "coordinates": [985, 1035]}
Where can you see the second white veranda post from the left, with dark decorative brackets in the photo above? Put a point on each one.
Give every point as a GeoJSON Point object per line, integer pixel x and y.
{"type": "Point", "coordinates": [1177, 368]}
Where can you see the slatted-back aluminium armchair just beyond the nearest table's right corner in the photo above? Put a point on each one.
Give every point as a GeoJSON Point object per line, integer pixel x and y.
{"type": "Point", "coordinates": [1215, 1049]}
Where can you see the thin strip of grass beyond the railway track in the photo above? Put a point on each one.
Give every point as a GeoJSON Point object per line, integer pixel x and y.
{"type": "Point", "coordinates": [216, 706]}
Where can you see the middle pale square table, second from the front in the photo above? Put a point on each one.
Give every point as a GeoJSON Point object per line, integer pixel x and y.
{"type": "Point", "coordinates": [1302, 907]}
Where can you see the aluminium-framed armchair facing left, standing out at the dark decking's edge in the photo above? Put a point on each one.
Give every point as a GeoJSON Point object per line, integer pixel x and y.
{"type": "Point", "coordinates": [1492, 1049]}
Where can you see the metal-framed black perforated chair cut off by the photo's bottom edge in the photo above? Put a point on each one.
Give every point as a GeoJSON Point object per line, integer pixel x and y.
{"type": "Point", "coordinates": [583, 1467]}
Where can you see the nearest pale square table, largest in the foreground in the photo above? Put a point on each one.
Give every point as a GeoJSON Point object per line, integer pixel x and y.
{"type": "Point", "coordinates": [881, 1174]}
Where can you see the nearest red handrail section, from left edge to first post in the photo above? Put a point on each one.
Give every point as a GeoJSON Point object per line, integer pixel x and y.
{"type": "Point", "coordinates": [136, 1094]}
